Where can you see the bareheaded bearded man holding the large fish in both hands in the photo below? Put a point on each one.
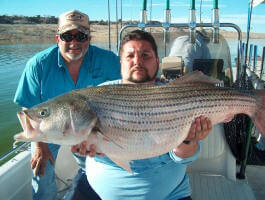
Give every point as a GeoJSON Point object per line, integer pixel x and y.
{"type": "Point", "coordinates": [160, 177]}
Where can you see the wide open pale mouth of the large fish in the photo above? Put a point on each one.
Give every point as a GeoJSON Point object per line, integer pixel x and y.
{"type": "Point", "coordinates": [30, 128]}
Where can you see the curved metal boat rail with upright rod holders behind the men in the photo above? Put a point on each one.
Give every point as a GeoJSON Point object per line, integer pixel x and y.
{"type": "Point", "coordinates": [191, 25]}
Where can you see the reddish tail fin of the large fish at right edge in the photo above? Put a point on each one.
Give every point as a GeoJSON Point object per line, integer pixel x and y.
{"type": "Point", "coordinates": [259, 116]}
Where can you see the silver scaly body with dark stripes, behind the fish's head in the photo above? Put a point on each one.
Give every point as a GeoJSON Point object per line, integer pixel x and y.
{"type": "Point", "coordinates": [155, 117]}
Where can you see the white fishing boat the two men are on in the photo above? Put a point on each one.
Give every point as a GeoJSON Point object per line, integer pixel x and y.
{"type": "Point", "coordinates": [215, 175]}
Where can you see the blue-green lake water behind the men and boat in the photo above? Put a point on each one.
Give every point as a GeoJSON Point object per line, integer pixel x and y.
{"type": "Point", "coordinates": [13, 58]}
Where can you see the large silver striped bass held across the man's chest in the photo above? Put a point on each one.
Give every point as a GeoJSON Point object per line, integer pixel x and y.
{"type": "Point", "coordinates": [130, 122]}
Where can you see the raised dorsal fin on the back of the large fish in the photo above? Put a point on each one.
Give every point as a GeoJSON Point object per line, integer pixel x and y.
{"type": "Point", "coordinates": [196, 77]}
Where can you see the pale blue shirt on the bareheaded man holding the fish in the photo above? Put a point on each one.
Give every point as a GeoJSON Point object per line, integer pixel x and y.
{"type": "Point", "coordinates": [162, 177]}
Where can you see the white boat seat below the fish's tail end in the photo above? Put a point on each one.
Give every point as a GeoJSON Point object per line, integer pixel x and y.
{"type": "Point", "coordinates": [213, 174]}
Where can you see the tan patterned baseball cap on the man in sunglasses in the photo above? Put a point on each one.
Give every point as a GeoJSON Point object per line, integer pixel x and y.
{"type": "Point", "coordinates": [73, 20]}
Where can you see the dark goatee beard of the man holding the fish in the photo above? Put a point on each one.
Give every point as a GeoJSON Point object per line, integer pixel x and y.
{"type": "Point", "coordinates": [145, 78]}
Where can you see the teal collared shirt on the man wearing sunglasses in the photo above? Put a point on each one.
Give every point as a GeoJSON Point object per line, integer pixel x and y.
{"type": "Point", "coordinates": [46, 75]}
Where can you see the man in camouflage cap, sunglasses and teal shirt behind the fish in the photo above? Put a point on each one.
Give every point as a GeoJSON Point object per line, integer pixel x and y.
{"type": "Point", "coordinates": [71, 64]}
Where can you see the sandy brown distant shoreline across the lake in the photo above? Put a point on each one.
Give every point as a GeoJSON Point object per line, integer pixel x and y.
{"type": "Point", "coordinates": [45, 33]}
